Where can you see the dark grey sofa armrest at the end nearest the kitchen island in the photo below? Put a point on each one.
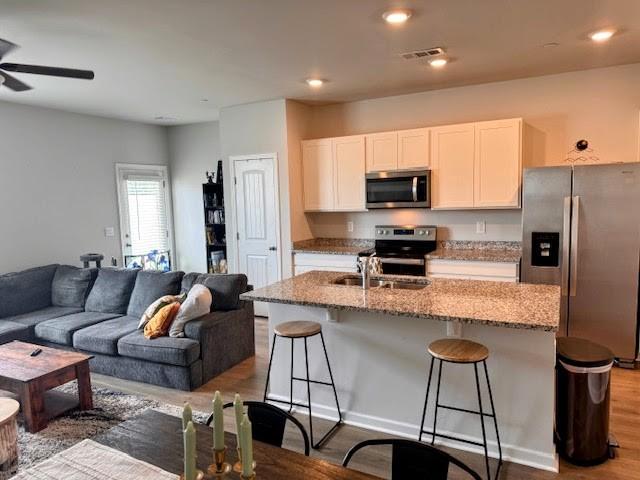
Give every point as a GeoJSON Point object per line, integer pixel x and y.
{"type": "Point", "coordinates": [226, 338]}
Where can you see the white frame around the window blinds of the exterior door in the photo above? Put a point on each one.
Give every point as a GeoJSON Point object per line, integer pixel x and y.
{"type": "Point", "coordinates": [168, 198]}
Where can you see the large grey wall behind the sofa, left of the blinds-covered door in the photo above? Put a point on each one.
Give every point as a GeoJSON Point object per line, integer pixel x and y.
{"type": "Point", "coordinates": [57, 182]}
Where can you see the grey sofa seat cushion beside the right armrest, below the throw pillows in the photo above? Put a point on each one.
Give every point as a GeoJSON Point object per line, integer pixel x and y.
{"type": "Point", "coordinates": [168, 350]}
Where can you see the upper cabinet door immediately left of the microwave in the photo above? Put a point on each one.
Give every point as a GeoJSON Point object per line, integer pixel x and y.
{"type": "Point", "coordinates": [348, 167]}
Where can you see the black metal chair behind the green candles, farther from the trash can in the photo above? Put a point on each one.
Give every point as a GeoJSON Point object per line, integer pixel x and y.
{"type": "Point", "coordinates": [268, 423]}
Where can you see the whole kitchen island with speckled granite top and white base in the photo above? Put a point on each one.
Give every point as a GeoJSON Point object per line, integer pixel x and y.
{"type": "Point", "coordinates": [377, 338]}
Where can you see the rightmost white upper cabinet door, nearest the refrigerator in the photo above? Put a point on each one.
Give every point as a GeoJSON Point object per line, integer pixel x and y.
{"type": "Point", "coordinates": [498, 164]}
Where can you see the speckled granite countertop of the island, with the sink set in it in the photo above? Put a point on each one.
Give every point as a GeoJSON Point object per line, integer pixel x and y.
{"type": "Point", "coordinates": [514, 305]}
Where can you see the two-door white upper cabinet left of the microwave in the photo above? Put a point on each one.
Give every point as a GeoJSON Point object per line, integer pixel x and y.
{"type": "Point", "coordinates": [333, 171]}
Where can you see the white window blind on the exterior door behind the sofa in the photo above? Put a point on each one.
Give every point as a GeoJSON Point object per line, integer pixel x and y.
{"type": "Point", "coordinates": [148, 224]}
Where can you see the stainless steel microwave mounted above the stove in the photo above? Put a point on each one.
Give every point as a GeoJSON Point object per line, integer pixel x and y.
{"type": "Point", "coordinates": [408, 189]}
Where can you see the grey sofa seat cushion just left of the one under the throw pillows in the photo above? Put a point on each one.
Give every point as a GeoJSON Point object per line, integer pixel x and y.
{"type": "Point", "coordinates": [103, 337]}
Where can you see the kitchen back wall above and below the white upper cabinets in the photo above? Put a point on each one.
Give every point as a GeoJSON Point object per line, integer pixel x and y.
{"type": "Point", "coordinates": [600, 105]}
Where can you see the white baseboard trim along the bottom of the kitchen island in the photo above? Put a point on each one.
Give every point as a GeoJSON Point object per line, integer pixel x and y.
{"type": "Point", "coordinates": [511, 453]}
